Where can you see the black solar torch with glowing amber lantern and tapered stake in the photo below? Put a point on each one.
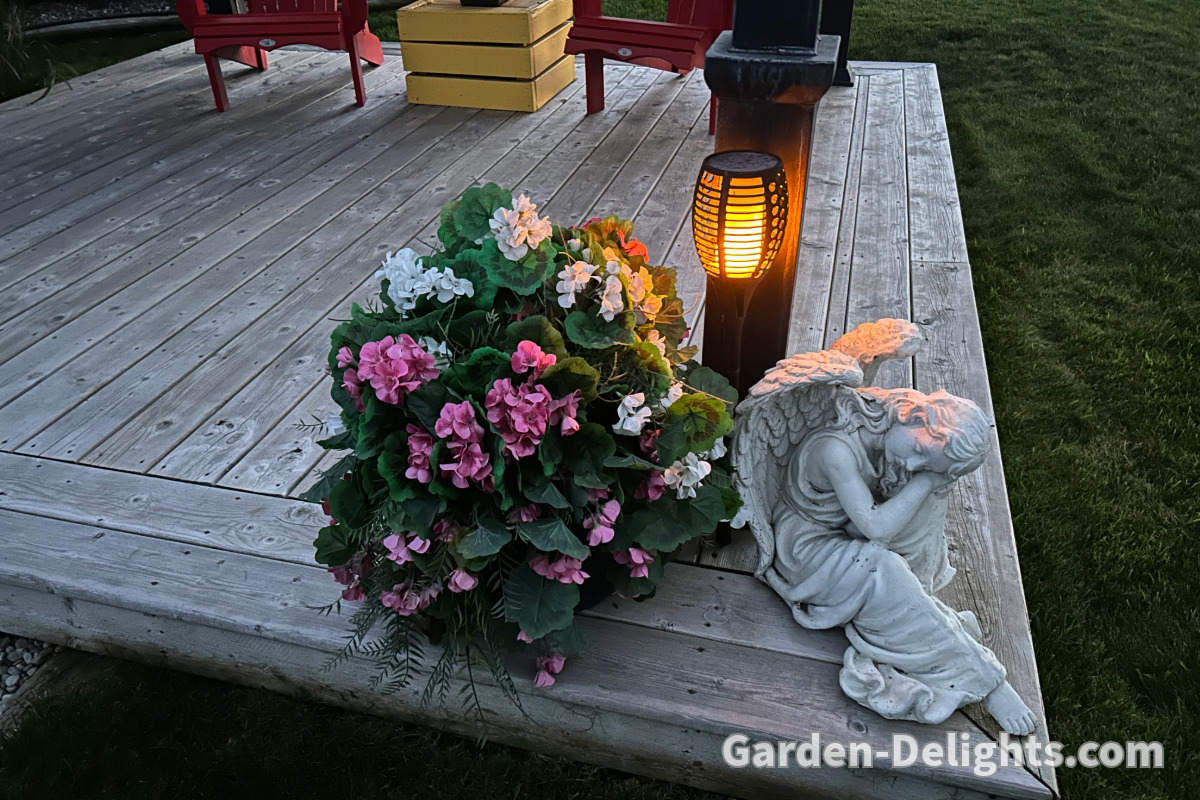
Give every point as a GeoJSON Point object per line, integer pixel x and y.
{"type": "Point", "coordinates": [739, 218]}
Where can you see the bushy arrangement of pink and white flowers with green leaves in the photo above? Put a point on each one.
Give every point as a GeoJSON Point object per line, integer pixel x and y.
{"type": "Point", "coordinates": [525, 430]}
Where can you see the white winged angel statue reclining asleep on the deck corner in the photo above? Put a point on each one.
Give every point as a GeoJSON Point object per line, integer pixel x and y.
{"type": "Point", "coordinates": [845, 489]}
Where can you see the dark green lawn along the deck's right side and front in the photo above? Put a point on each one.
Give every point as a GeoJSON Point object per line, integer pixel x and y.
{"type": "Point", "coordinates": [1075, 131]}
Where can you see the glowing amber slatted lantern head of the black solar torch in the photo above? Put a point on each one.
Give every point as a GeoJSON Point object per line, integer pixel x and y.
{"type": "Point", "coordinates": [740, 214]}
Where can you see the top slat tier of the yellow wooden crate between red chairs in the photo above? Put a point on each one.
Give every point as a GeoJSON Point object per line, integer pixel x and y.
{"type": "Point", "coordinates": [518, 22]}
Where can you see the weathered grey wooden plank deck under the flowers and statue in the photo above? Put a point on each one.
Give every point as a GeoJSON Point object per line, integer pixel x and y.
{"type": "Point", "coordinates": [167, 280]}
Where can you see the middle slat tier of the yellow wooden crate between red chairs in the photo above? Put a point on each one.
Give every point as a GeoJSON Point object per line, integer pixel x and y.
{"type": "Point", "coordinates": [525, 62]}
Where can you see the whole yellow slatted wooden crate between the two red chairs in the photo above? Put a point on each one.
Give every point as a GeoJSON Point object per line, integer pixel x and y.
{"type": "Point", "coordinates": [508, 58]}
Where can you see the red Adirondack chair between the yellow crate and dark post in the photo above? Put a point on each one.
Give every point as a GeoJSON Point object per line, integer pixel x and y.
{"type": "Point", "coordinates": [677, 46]}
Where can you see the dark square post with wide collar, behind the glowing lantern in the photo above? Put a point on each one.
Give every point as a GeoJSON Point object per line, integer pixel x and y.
{"type": "Point", "coordinates": [769, 74]}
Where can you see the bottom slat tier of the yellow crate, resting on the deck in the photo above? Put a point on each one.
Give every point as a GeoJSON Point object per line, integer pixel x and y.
{"type": "Point", "coordinates": [493, 93]}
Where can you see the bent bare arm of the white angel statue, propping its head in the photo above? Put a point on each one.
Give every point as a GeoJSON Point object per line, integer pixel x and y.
{"type": "Point", "coordinates": [877, 521]}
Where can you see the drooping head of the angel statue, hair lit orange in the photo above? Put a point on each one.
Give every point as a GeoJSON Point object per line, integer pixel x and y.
{"type": "Point", "coordinates": [937, 432]}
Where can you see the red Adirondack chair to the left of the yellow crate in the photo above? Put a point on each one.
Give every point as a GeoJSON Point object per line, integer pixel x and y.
{"type": "Point", "coordinates": [332, 25]}
